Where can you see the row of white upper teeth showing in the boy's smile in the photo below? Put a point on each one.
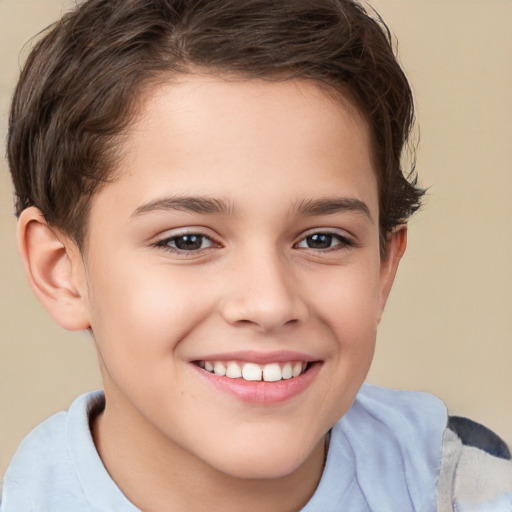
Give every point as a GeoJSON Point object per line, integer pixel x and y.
{"type": "Point", "coordinates": [270, 372]}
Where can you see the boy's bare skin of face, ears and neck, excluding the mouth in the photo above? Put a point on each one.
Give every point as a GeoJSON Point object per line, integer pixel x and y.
{"type": "Point", "coordinates": [257, 284]}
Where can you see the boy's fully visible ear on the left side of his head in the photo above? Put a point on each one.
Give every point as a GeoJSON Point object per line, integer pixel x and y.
{"type": "Point", "coordinates": [55, 271]}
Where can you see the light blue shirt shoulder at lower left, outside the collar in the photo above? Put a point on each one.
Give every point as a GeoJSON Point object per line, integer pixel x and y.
{"type": "Point", "coordinates": [42, 469]}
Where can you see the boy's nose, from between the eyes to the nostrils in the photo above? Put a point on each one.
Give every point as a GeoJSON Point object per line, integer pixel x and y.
{"type": "Point", "coordinates": [264, 293]}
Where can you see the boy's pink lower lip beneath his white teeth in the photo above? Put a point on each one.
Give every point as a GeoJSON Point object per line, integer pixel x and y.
{"type": "Point", "coordinates": [261, 392]}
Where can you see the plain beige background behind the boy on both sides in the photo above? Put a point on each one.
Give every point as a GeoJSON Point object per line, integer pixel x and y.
{"type": "Point", "coordinates": [448, 325]}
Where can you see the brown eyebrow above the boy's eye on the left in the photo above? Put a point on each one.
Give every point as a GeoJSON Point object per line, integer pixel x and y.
{"type": "Point", "coordinates": [193, 204]}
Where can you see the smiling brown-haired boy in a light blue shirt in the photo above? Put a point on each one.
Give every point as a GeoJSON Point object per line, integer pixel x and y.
{"type": "Point", "coordinates": [213, 189]}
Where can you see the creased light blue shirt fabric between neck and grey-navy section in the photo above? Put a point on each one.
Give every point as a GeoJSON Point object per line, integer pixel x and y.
{"type": "Point", "coordinates": [390, 442]}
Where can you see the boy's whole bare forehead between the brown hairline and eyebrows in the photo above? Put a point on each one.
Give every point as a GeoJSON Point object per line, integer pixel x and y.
{"type": "Point", "coordinates": [242, 139]}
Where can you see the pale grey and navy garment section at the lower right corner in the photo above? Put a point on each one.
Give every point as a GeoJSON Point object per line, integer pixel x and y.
{"type": "Point", "coordinates": [476, 469]}
